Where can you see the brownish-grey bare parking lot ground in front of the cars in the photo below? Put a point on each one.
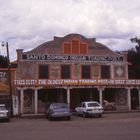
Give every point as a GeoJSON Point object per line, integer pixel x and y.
{"type": "Point", "coordinates": [123, 126]}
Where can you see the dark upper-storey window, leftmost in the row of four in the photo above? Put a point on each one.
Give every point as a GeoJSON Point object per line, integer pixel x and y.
{"type": "Point", "coordinates": [43, 71]}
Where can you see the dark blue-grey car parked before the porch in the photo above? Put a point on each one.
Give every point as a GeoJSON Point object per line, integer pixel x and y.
{"type": "Point", "coordinates": [58, 110]}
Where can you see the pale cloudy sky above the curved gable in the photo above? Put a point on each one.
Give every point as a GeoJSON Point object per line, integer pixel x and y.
{"type": "Point", "coordinates": [25, 24]}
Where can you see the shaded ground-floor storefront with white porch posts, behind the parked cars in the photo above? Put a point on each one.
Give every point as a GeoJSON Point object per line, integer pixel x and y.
{"type": "Point", "coordinates": [35, 100]}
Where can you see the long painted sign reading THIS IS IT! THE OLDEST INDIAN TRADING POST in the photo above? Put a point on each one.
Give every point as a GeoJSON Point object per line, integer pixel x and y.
{"type": "Point", "coordinates": [76, 82]}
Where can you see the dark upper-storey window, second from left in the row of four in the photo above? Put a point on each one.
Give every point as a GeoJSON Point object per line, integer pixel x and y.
{"type": "Point", "coordinates": [65, 71]}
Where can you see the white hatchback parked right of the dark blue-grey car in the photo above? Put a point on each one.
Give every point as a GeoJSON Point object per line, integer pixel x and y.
{"type": "Point", "coordinates": [90, 108]}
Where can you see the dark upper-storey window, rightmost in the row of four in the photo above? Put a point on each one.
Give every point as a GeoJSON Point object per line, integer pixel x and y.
{"type": "Point", "coordinates": [105, 72]}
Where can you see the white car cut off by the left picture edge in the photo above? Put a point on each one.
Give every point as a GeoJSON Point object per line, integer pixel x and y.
{"type": "Point", "coordinates": [4, 113]}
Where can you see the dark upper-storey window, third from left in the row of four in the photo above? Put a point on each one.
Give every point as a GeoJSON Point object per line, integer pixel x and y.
{"type": "Point", "coordinates": [85, 72]}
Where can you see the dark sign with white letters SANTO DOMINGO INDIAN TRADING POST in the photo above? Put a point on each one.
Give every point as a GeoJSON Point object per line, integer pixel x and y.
{"type": "Point", "coordinates": [78, 58]}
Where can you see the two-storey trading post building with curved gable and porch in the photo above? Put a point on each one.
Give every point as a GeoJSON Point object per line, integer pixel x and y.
{"type": "Point", "coordinates": [73, 69]}
